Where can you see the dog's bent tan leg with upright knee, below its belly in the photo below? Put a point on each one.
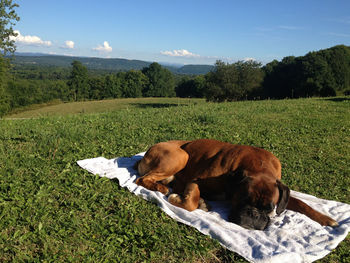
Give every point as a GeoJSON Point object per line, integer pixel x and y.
{"type": "Point", "coordinates": [190, 198]}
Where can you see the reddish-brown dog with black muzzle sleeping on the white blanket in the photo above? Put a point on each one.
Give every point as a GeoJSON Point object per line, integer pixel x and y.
{"type": "Point", "coordinates": [247, 176]}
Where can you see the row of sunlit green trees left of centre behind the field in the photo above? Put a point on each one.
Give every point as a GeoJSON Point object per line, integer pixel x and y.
{"type": "Point", "coordinates": [151, 81]}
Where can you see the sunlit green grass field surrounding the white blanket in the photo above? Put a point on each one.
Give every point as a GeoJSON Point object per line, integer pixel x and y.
{"type": "Point", "coordinates": [51, 210]}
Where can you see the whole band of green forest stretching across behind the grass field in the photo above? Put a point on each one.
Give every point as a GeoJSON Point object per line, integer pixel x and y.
{"type": "Point", "coordinates": [321, 73]}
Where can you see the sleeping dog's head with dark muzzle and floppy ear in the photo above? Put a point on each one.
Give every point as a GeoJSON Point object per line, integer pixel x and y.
{"type": "Point", "coordinates": [255, 199]}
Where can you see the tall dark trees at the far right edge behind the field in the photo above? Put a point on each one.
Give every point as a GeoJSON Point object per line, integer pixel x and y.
{"type": "Point", "coordinates": [321, 73]}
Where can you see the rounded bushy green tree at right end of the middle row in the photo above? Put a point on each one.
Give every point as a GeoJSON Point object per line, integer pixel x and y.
{"type": "Point", "coordinates": [161, 81]}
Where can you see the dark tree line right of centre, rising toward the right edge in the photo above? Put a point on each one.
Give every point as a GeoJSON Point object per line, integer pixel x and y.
{"type": "Point", "coordinates": [322, 73]}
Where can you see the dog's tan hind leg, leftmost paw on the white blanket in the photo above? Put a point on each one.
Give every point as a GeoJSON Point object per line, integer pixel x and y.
{"type": "Point", "coordinates": [150, 181]}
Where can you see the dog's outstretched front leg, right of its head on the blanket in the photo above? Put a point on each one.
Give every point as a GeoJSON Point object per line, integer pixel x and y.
{"type": "Point", "coordinates": [297, 205]}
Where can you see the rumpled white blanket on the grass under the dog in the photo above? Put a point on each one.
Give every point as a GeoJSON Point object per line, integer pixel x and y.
{"type": "Point", "coordinates": [290, 237]}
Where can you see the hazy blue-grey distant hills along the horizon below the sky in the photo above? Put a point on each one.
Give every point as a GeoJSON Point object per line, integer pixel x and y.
{"type": "Point", "coordinates": [112, 64]}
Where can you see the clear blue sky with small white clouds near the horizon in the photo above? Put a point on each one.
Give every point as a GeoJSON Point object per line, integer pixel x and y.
{"type": "Point", "coordinates": [186, 32]}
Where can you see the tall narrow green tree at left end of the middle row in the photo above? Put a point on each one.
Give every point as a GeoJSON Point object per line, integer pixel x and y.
{"type": "Point", "coordinates": [78, 81]}
